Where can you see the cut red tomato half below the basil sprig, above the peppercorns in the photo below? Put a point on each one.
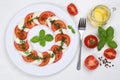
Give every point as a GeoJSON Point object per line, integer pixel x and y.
{"type": "Point", "coordinates": [110, 53]}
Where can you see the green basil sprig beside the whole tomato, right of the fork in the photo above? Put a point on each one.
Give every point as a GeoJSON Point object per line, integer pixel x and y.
{"type": "Point", "coordinates": [106, 36]}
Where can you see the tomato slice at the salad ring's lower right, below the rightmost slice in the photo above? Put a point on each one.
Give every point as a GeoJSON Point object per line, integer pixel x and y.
{"type": "Point", "coordinates": [58, 54]}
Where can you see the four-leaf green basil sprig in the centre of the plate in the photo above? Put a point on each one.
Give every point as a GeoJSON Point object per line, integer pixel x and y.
{"type": "Point", "coordinates": [42, 38]}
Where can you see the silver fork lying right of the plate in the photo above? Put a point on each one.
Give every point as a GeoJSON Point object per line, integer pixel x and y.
{"type": "Point", "coordinates": [81, 28]}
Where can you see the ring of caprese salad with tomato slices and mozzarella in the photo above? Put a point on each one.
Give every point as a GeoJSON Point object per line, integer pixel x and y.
{"type": "Point", "coordinates": [50, 20]}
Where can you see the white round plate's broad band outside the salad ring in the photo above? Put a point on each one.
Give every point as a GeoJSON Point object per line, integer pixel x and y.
{"type": "Point", "coordinates": [51, 68]}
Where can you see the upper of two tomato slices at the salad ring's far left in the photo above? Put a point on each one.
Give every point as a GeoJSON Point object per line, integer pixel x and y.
{"type": "Point", "coordinates": [20, 34]}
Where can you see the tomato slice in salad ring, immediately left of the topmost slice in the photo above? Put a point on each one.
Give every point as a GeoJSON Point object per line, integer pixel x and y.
{"type": "Point", "coordinates": [29, 22]}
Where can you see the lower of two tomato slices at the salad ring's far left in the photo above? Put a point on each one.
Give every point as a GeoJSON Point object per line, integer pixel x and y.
{"type": "Point", "coordinates": [21, 47]}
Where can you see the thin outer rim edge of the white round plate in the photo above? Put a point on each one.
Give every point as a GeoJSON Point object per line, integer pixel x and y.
{"type": "Point", "coordinates": [13, 20]}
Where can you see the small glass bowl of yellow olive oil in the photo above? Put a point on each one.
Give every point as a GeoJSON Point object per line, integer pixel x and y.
{"type": "Point", "coordinates": [99, 15]}
